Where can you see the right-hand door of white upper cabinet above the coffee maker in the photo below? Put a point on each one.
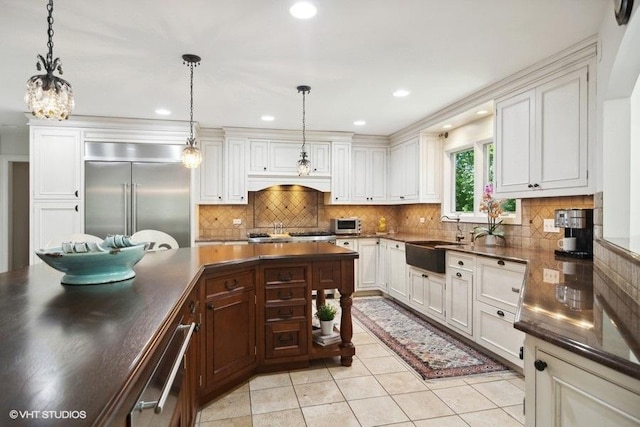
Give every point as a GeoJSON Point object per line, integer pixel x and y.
{"type": "Point", "coordinates": [561, 132]}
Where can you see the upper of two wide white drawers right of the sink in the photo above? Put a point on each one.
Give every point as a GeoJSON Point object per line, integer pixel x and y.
{"type": "Point", "coordinates": [498, 282]}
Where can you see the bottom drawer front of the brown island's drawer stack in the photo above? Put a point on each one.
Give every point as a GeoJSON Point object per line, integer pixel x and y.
{"type": "Point", "coordinates": [286, 339]}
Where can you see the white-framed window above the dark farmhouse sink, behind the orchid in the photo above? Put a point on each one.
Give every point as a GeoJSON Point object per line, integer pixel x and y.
{"type": "Point", "coordinates": [470, 169]}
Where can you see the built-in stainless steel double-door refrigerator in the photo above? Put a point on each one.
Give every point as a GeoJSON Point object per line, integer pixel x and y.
{"type": "Point", "coordinates": [133, 187]}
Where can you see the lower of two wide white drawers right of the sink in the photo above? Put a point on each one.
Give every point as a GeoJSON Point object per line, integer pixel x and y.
{"type": "Point", "coordinates": [494, 330]}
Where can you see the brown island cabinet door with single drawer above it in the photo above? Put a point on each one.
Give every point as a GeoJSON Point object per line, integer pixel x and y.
{"type": "Point", "coordinates": [229, 344]}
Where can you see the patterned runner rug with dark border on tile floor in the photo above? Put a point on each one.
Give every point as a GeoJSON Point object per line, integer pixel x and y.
{"type": "Point", "coordinates": [428, 349]}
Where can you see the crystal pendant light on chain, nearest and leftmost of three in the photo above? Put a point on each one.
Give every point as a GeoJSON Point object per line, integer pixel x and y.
{"type": "Point", "coordinates": [49, 96]}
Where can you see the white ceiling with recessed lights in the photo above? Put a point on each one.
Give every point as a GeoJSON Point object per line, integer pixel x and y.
{"type": "Point", "coordinates": [123, 57]}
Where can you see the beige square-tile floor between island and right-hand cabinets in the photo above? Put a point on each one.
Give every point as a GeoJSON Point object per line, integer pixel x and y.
{"type": "Point", "coordinates": [378, 389]}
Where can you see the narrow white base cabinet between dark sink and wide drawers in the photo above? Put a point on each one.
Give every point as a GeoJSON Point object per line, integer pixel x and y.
{"type": "Point", "coordinates": [459, 283]}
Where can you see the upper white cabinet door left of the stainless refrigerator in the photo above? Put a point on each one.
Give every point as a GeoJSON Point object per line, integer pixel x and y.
{"type": "Point", "coordinates": [56, 156]}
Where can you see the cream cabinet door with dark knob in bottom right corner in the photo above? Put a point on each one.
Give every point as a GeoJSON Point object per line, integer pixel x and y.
{"type": "Point", "coordinates": [568, 390]}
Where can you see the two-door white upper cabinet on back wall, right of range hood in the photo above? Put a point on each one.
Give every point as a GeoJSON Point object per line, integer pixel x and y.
{"type": "Point", "coordinates": [369, 180]}
